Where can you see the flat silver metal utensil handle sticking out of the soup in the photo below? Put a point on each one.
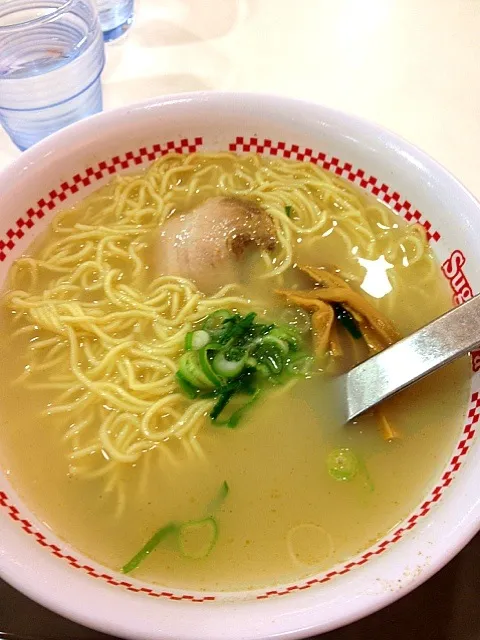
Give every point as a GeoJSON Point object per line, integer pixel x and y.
{"type": "Point", "coordinates": [435, 345]}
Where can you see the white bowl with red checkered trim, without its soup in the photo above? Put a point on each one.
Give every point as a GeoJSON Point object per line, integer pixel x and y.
{"type": "Point", "coordinates": [63, 169]}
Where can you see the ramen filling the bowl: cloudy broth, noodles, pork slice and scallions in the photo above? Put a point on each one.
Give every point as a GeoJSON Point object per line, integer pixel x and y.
{"type": "Point", "coordinates": [114, 449]}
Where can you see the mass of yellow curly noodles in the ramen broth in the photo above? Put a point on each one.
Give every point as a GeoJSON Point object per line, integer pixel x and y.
{"type": "Point", "coordinates": [104, 334]}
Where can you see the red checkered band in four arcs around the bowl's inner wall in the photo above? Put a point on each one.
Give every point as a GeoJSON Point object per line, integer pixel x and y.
{"type": "Point", "coordinates": [241, 144]}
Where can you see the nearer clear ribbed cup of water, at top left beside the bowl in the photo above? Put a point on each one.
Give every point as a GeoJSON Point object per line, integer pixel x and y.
{"type": "Point", "coordinates": [51, 57]}
